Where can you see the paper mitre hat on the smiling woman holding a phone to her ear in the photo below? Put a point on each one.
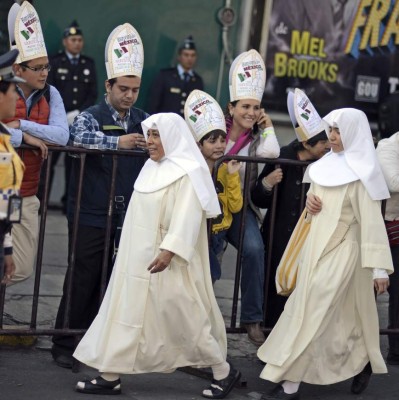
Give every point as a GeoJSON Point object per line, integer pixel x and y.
{"type": "Point", "coordinates": [247, 77]}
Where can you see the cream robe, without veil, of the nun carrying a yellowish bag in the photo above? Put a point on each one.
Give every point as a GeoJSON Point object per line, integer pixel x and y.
{"type": "Point", "coordinates": [329, 328]}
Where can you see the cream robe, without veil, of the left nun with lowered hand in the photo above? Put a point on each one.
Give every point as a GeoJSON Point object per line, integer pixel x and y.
{"type": "Point", "coordinates": [158, 322]}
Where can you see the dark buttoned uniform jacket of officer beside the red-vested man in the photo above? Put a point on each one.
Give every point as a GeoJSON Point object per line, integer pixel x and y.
{"type": "Point", "coordinates": [77, 84]}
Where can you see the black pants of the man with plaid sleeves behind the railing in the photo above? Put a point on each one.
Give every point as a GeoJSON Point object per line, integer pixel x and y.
{"type": "Point", "coordinates": [85, 297]}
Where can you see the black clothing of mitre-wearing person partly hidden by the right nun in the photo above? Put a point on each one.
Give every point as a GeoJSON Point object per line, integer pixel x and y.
{"type": "Point", "coordinates": [288, 211]}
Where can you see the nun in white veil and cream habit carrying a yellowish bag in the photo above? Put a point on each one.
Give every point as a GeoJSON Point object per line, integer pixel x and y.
{"type": "Point", "coordinates": [329, 329]}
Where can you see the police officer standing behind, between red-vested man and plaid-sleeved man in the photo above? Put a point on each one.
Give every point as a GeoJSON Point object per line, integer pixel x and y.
{"type": "Point", "coordinates": [74, 75]}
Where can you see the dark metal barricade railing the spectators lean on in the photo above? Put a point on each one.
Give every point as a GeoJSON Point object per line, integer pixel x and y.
{"type": "Point", "coordinates": [81, 154]}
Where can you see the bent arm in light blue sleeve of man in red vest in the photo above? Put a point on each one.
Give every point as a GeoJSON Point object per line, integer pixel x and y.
{"type": "Point", "coordinates": [56, 131]}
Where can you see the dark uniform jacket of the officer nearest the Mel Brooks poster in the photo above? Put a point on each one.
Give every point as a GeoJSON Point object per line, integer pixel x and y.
{"type": "Point", "coordinates": [169, 92]}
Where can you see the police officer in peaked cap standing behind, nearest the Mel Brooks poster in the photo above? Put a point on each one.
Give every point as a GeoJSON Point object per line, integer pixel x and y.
{"type": "Point", "coordinates": [172, 86]}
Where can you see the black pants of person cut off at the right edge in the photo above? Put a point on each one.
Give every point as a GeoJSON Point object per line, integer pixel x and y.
{"type": "Point", "coordinates": [393, 308]}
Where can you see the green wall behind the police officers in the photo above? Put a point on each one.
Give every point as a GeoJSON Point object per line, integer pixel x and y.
{"type": "Point", "coordinates": [162, 25]}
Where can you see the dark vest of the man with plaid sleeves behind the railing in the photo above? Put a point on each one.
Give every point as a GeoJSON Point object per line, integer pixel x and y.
{"type": "Point", "coordinates": [98, 170]}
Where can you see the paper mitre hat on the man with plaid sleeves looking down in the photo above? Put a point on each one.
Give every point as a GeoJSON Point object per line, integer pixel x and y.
{"type": "Point", "coordinates": [124, 53]}
